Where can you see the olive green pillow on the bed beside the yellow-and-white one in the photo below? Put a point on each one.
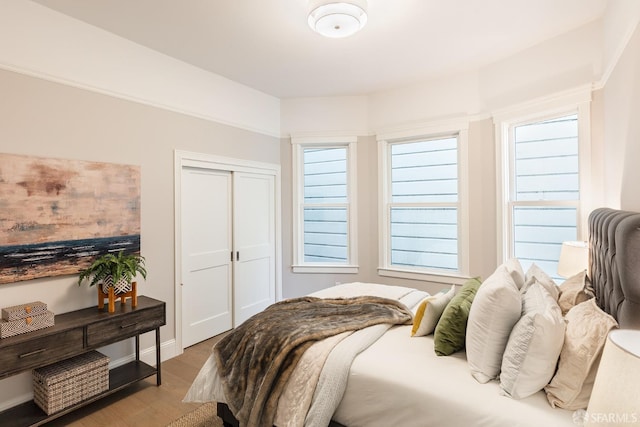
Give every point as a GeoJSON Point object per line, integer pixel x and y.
{"type": "Point", "coordinates": [449, 335]}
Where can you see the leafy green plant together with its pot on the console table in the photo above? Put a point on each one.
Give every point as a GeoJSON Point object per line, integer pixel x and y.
{"type": "Point", "coordinates": [114, 270]}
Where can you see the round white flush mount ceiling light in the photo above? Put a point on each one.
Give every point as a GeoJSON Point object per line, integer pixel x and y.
{"type": "Point", "coordinates": [337, 19]}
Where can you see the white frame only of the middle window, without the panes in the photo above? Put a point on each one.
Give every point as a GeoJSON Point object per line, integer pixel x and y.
{"type": "Point", "coordinates": [457, 128]}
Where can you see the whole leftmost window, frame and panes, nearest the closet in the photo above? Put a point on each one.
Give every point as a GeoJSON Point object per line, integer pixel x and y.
{"type": "Point", "coordinates": [324, 206]}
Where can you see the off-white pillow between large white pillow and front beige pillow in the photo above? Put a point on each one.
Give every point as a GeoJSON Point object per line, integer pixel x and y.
{"type": "Point", "coordinates": [534, 346]}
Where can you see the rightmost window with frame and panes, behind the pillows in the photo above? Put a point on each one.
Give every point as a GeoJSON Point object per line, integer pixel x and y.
{"type": "Point", "coordinates": [543, 185]}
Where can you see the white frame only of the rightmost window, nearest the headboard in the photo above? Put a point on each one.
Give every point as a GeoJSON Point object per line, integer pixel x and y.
{"type": "Point", "coordinates": [567, 103]}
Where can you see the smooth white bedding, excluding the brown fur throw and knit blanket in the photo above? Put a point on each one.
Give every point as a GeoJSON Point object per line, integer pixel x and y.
{"type": "Point", "coordinates": [399, 381]}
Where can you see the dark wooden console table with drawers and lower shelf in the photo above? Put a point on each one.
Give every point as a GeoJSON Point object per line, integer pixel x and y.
{"type": "Point", "coordinates": [74, 333]}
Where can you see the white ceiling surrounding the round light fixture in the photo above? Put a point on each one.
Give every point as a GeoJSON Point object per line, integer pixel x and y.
{"type": "Point", "coordinates": [267, 44]}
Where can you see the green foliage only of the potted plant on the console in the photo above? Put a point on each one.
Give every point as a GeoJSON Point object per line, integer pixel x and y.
{"type": "Point", "coordinates": [117, 266]}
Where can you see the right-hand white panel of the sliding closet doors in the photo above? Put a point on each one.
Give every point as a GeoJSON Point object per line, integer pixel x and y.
{"type": "Point", "coordinates": [254, 244]}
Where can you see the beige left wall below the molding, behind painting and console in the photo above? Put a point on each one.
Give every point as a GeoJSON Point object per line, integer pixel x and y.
{"type": "Point", "coordinates": [42, 118]}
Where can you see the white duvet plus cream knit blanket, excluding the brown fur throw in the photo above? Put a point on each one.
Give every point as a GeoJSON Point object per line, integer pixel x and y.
{"type": "Point", "coordinates": [395, 381]}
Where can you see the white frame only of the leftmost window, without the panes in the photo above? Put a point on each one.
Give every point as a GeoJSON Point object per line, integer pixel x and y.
{"type": "Point", "coordinates": [298, 146]}
